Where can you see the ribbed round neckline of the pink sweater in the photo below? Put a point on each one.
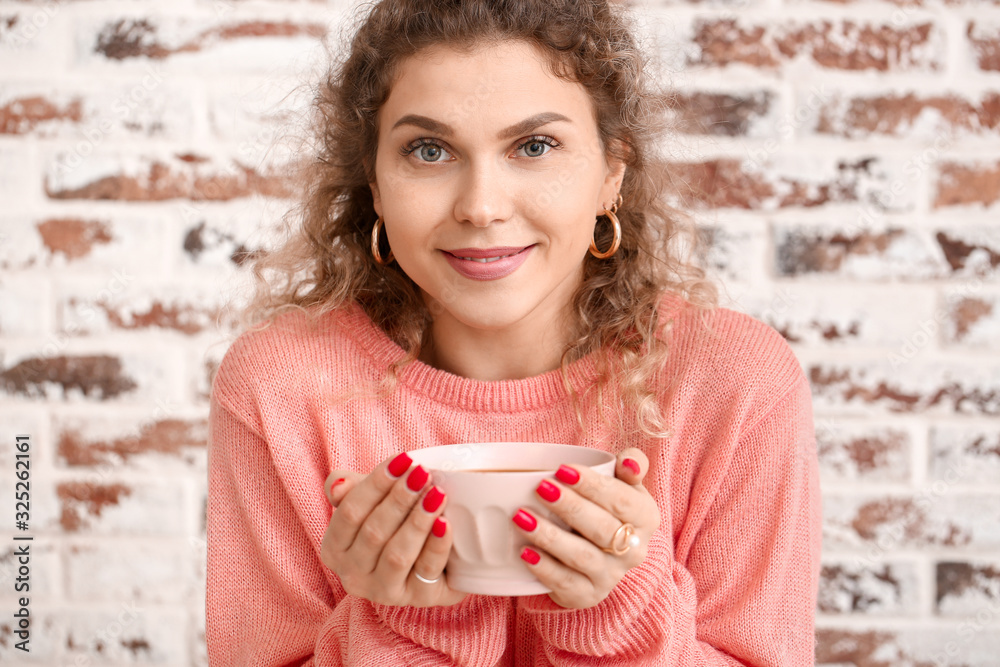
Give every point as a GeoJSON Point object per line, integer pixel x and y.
{"type": "Point", "coordinates": [517, 395]}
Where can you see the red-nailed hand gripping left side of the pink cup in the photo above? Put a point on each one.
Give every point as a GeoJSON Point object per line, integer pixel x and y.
{"type": "Point", "coordinates": [386, 532]}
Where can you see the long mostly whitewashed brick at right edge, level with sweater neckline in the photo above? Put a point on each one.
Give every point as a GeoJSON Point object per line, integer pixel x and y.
{"type": "Point", "coordinates": [904, 385]}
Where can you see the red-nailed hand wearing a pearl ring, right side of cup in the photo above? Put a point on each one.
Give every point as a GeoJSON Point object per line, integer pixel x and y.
{"type": "Point", "coordinates": [577, 567]}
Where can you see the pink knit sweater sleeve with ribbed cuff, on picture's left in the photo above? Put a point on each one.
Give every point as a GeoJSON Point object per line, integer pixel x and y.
{"type": "Point", "coordinates": [271, 602]}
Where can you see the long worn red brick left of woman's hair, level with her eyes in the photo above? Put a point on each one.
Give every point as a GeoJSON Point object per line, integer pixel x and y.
{"type": "Point", "coordinates": [183, 176]}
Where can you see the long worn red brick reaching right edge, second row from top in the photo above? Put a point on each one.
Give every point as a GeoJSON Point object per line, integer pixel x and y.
{"type": "Point", "coordinates": [899, 115]}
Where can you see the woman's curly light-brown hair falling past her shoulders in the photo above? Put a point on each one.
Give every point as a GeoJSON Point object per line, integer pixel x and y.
{"type": "Point", "coordinates": [327, 263]}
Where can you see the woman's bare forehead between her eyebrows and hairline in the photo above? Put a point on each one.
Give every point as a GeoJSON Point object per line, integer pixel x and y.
{"type": "Point", "coordinates": [488, 86]}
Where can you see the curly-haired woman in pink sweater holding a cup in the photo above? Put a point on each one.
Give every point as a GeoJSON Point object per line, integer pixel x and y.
{"type": "Point", "coordinates": [484, 256]}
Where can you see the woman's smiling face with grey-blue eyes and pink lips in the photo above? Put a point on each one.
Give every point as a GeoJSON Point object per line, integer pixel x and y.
{"type": "Point", "coordinates": [490, 152]}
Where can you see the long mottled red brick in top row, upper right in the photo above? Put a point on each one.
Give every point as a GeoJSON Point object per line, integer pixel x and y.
{"type": "Point", "coordinates": [846, 45]}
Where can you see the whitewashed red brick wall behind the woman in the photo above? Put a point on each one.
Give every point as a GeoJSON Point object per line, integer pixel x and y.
{"type": "Point", "coordinates": [842, 156]}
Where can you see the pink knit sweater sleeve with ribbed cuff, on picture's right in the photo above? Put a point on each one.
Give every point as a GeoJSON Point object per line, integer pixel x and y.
{"type": "Point", "coordinates": [746, 592]}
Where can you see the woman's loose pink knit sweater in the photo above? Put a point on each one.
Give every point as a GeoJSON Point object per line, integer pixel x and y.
{"type": "Point", "coordinates": [731, 575]}
